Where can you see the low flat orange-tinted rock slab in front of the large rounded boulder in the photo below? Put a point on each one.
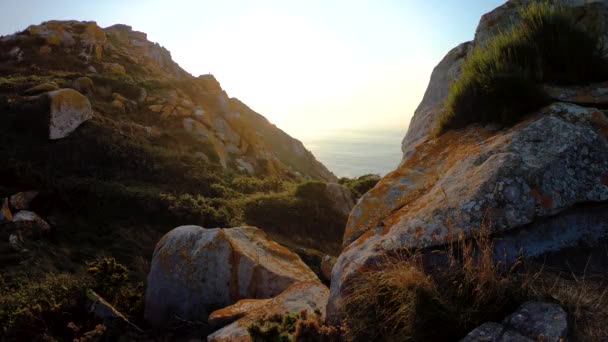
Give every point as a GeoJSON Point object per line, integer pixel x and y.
{"type": "Point", "coordinates": [310, 296]}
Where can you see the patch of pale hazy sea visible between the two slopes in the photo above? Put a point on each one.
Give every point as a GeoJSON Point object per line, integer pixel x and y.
{"type": "Point", "coordinates": [352, 153]}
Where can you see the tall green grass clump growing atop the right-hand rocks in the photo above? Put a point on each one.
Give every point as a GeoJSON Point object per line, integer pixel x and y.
{"type": "Point", "coordinates": [501, 81]}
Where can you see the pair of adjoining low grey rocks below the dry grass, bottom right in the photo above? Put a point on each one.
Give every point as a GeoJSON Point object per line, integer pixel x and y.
{"type": "Point", "coordinates": [533, 321]}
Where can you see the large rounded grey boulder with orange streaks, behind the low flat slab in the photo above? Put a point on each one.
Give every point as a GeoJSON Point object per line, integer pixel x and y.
{"type": "Point", "coordinates": [196, 270]}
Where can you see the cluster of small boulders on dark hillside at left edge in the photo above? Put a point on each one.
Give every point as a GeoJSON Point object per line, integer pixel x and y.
{"type": "Point", "coordinates": [18, 224]}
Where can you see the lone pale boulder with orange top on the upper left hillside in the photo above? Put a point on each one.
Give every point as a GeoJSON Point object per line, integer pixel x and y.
{"type": "Point", "coordinates": [69, 109]}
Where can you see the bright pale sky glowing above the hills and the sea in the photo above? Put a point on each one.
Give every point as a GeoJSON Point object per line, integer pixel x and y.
{"type": "Point", "coordinates": [305, 65]}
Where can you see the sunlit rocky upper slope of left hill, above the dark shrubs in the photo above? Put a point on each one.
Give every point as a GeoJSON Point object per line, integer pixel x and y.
{"type": "Point", "coordinates": [149, 93]}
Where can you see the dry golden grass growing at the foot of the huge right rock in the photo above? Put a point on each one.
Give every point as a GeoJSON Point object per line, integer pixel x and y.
{"type": "Point", "coordinates": [402, 300]}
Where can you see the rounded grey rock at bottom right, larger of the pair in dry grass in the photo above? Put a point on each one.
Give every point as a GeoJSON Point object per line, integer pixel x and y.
{"type": "Point", "coordinates": [539, 321]}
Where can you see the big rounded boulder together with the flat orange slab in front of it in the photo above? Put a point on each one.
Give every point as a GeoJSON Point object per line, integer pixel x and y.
{"type": "Point", "coordinates": [228, 277]}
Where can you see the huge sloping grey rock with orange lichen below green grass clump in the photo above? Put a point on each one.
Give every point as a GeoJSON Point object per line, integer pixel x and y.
{"type": "Point", "coordinates": [517, 179]}
